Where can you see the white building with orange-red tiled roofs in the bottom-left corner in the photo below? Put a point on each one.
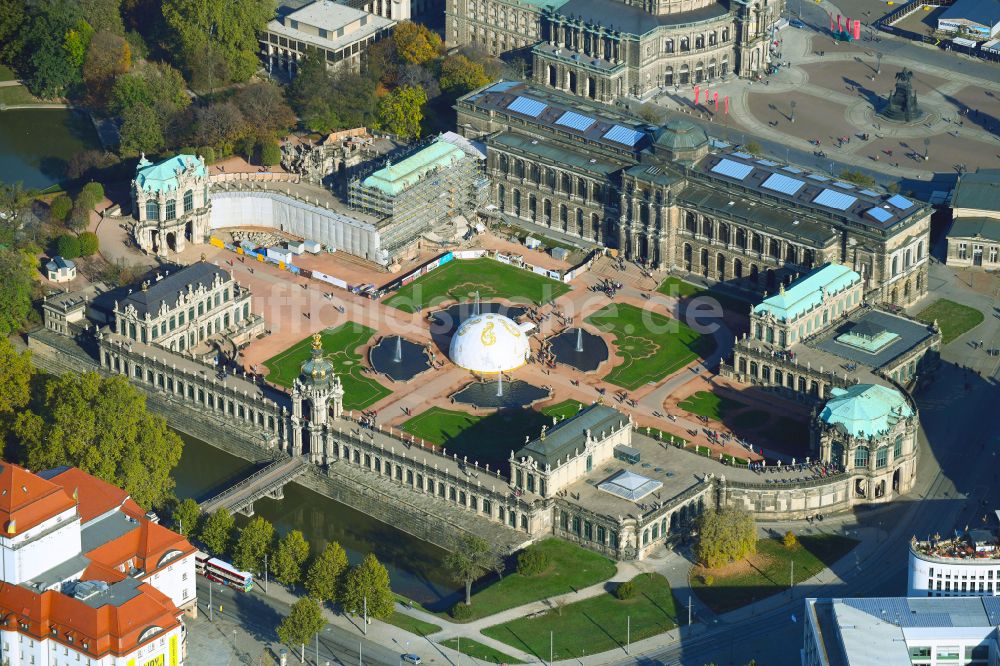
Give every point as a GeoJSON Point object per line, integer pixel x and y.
{"type": "Point", "coordinates": [88, 578]}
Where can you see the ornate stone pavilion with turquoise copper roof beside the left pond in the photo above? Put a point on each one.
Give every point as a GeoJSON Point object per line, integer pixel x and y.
{"type": "Point", "coordinates": [170, 204]}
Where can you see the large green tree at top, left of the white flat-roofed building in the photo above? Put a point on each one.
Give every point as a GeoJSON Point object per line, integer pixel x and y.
{"type": "Point", "coordinates": [231, 27]}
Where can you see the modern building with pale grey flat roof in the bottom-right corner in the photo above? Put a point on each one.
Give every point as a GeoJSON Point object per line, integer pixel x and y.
{"type": "Point", "coordinates": [899, 631]}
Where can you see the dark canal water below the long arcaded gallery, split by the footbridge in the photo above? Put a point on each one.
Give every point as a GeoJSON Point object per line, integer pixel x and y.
{"type": "Point", "coordinates": [414, 565]}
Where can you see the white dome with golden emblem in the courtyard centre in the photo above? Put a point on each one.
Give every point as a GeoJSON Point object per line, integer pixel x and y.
{"type": "Point", "coordinates": [490, 344]}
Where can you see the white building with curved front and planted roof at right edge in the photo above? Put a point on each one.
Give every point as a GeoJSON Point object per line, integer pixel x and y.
{"type": "Point", "coordinates": [967, 565]}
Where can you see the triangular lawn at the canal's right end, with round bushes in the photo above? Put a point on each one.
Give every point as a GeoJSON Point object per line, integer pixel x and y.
{"type": "Point", "coordinates": [571, 568]}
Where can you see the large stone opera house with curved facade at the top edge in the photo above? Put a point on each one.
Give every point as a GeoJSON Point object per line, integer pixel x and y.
{"type": "Point", "coordinates": [604, 49]}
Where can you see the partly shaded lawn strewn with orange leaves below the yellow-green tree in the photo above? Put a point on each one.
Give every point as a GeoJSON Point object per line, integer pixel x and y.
{"type": "Point", "coordinates": [772, 572]}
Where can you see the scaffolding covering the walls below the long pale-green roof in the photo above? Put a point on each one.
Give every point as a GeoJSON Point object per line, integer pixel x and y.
{"type": "Point", "coordinates": [439, 194]}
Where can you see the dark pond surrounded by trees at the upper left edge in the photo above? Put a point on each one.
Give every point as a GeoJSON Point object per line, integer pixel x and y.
{"type": "Point", "coordinates": [36, 144]}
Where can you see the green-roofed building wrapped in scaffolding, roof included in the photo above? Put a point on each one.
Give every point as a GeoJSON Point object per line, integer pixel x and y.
{"type": "Point", "coordinates": [432, 194]}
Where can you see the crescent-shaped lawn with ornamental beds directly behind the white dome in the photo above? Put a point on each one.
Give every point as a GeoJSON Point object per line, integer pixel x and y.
{"type": "Point", "coordinates": [458, 279]}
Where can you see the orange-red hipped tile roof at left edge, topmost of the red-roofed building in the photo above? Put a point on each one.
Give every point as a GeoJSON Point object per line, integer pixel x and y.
{"type": "Point", "coordinates": [27, 500]}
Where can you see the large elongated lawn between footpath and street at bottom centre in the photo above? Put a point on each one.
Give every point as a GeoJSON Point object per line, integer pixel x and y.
{"type": "Point", "coordinates": [594, 625]}
